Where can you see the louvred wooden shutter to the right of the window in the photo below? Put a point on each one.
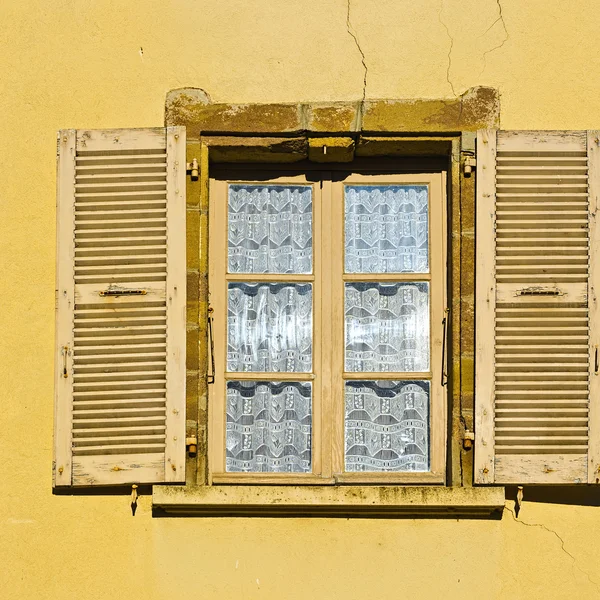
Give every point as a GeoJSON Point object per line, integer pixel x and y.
{"type": "Point", "coordinates": [537, 383]}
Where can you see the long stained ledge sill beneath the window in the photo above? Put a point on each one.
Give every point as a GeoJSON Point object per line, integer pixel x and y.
{"type": "Point", "coordinates": [329, 501]}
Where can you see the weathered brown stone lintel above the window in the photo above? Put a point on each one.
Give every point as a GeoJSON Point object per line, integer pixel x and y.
{"type": "Point", "coordinates": [477, 108]}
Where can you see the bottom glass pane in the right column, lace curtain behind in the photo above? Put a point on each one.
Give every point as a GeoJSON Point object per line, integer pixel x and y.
{"type": "Point", "coordinates": [387, 426]}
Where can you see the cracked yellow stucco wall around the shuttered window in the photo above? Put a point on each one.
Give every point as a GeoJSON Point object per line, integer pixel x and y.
{"type": "Point", "coordinates": [103, 63]}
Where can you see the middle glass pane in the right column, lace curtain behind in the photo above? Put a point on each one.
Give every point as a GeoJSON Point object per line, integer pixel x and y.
{"type": "Point", "coordinates": [387, 326]}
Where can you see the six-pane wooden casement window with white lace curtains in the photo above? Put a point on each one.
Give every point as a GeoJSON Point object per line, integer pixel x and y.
{"type": "Point", "coordinates": [329, 310]}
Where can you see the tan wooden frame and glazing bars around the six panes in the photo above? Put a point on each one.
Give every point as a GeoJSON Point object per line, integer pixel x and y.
{"type": "Point", "coordinates": [328, 376]}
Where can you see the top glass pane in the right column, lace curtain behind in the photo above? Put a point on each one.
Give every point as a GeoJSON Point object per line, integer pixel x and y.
{"type": "Point", "coordinates": [386, 229]}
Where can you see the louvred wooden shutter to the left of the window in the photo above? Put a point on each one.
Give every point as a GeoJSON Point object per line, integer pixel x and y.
{"type": "Point", "coordinates": [120, 312]}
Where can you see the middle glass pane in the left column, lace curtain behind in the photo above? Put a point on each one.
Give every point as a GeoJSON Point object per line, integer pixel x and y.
{"type": "Point", "coordinates": [269, 327]}
